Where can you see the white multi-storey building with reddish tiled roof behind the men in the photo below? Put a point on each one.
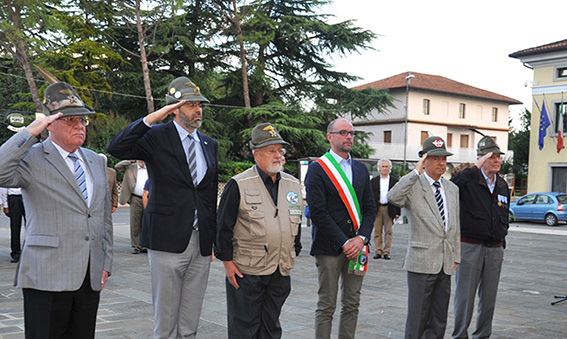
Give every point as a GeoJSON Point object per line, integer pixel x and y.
{"type": "Point", "coordinates": [435, 105]}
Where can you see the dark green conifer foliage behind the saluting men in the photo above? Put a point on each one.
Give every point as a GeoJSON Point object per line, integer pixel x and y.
{"type": "Point", "coordinates": [286, 46]}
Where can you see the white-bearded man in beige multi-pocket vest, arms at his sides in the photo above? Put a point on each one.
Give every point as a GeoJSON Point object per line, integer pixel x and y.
{"type": "Point", "coordinates": [258, 237]}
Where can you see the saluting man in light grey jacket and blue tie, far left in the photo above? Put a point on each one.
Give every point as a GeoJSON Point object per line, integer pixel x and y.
{"type": "Point", "coordinates": [67, 254]}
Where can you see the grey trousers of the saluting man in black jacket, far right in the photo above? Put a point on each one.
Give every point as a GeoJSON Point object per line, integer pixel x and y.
{"type": "Point", "coordinates": [479, 270]}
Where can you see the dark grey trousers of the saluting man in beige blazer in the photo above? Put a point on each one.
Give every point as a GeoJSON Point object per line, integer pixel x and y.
{"type": "Point", "coordinates": [428, 305]}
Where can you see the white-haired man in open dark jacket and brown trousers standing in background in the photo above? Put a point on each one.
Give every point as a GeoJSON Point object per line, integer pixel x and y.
{"type": "Point", "coordinates": [386, 212]}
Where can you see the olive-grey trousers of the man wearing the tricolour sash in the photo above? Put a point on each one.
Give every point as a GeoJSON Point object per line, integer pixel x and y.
{"type": "Point", "coordinates": [330, 269]}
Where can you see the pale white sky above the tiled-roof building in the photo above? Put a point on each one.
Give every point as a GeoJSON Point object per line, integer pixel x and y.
{"type": "Point", "coordinates": [466, 41]}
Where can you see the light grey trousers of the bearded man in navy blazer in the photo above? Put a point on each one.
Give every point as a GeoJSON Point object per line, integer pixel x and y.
{"type": "Point", "coordinates": [179, 282]}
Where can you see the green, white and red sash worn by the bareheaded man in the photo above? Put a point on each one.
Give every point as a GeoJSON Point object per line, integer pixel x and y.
{"type": "Point", "coordinates": [359, 265]}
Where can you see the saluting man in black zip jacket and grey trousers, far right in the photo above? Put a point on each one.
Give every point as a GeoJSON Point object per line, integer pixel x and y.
{"type": "Point", "coordinates": [485, 202]}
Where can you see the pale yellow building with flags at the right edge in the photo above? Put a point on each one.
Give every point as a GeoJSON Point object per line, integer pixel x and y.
{"type": "Point", "coordinates": [547, 169]}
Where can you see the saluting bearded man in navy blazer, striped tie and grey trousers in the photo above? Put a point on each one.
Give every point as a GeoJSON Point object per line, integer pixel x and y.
{"type": "Point", "coordinates": [179, 223]}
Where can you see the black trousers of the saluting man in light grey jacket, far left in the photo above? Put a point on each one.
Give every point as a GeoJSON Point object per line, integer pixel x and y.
{"type": "Point", "coordinates": [61, 315]}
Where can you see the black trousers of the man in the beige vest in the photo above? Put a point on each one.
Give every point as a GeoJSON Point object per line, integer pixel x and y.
{"type": "Point", "coordinates": [254, 309]}
